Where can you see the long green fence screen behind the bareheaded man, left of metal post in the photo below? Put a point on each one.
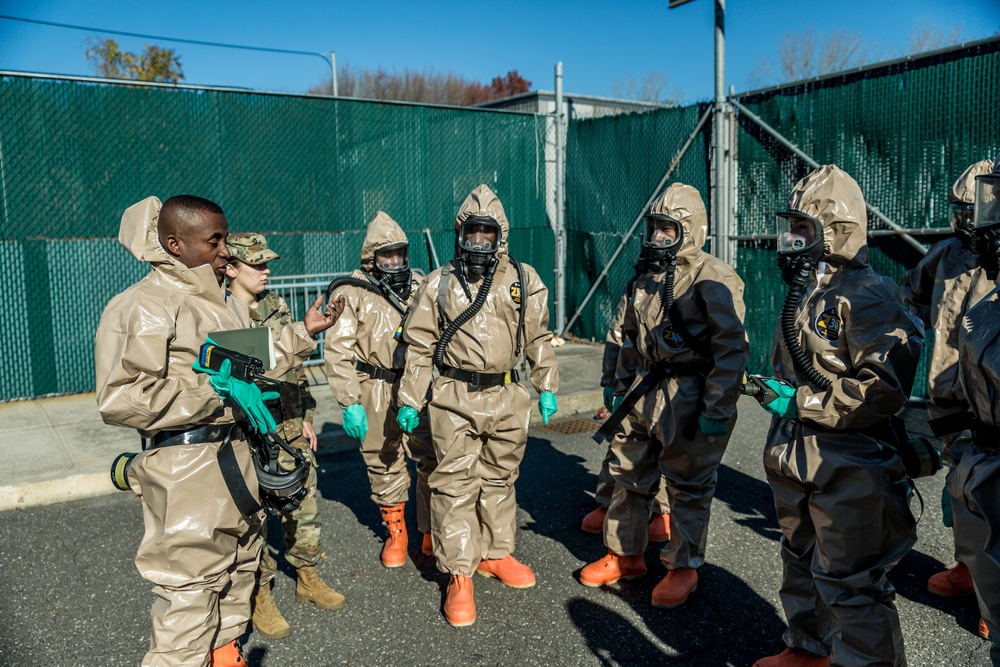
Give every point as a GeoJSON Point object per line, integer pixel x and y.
{"type": "Point", "coordinates": [308, 171]}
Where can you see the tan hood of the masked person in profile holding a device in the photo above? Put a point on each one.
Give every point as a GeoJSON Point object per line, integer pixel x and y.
{"type": "Point", "coordinates": [831, 196]}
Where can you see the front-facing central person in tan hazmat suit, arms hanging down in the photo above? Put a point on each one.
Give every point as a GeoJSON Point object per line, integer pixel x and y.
{"type": "Point", "coordinates": [473, 319]}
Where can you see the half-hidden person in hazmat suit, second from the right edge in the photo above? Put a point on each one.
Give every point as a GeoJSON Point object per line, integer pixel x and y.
{"type": "Point", "coordinates": [940, 289]}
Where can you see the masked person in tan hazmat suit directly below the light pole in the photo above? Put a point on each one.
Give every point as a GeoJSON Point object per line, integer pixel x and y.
{"type": "Point", "coordinates": [683, 356]}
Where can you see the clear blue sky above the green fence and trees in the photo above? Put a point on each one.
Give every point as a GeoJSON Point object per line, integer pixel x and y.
{"type": "Point", "coordinates": [598, 42]}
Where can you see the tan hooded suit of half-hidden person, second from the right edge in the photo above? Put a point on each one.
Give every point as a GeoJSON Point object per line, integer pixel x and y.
{"type": "Point", "coordinates": [940, 289]}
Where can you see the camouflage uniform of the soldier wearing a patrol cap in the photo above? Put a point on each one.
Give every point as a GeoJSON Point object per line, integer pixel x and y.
{"type": "Point", "coordinates": [301, 527]}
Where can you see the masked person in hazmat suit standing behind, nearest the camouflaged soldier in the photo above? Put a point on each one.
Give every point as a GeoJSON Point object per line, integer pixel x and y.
{"type": "Point", "coordinates": [365, 355]}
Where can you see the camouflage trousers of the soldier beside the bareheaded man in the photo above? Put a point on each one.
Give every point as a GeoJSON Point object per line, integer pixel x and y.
{"type": "Point", "coordinates": [300, 527]}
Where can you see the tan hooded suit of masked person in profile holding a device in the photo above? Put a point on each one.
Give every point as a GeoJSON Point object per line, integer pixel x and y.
{"type": "Point", "coordinates": [841, 494]}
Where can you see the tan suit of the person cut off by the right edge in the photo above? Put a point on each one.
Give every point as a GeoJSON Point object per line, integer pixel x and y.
{"type": "Point", "coordinates": [975, 484]}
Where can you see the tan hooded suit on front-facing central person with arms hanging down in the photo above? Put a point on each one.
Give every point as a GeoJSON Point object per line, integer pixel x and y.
{"type": "Point", "coordinates": [479, 431]}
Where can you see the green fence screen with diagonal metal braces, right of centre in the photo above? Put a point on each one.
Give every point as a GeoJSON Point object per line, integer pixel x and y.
{"type": "Point", "coordinates": [904, 130]}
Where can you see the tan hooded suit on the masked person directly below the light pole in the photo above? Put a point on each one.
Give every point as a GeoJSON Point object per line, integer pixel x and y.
{"type": "Point", "coordinates": [709, 297]}
